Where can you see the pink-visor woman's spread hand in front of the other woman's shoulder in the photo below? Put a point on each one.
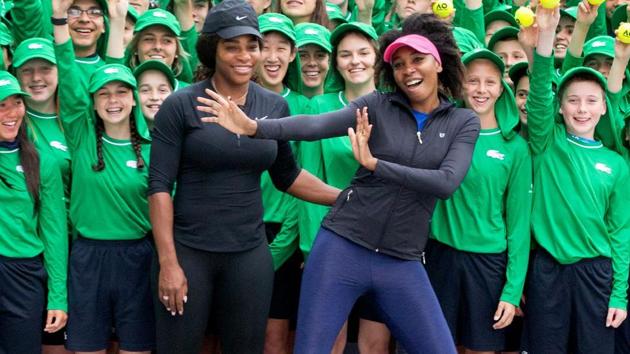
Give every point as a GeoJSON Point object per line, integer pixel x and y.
{"type": "Point", "coordinates": [226, 113]}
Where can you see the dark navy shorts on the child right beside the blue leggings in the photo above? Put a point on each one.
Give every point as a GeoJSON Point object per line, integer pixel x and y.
{"type": "Point", "coordinates": [468, 287]}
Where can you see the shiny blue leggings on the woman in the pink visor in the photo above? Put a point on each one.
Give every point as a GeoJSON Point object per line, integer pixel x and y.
{"type": "Point", "coordinates": [339, 271]}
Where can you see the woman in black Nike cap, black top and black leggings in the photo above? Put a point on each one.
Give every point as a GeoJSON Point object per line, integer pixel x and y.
{"type": "Point", "coordinates": [212, 250]}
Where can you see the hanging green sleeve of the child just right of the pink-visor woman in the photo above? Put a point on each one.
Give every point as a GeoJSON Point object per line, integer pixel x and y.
{"type": "Point", "coordinates": [517, 213]}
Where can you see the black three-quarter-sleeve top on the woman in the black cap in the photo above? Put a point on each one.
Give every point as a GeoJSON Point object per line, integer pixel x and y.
{"type": "Point", "coordinates": [217, 204]}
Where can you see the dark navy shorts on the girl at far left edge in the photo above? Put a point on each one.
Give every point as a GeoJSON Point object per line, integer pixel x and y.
{"type": "Point", "coordinates": [22, 300]}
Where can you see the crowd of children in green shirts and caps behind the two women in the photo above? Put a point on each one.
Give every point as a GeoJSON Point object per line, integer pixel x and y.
{"type": "Point", "coordinates": [531, 252]}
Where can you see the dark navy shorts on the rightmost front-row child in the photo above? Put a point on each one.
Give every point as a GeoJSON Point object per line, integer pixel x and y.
{"type": "Point", "coordinates": [567, 305]}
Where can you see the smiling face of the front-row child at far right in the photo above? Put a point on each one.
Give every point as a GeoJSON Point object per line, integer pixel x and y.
{"type": "Point", "coordinates": [582, 106]}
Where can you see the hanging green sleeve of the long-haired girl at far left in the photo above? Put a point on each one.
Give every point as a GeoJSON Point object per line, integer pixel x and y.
{"type": "Point", "coordinates": [52, 228]}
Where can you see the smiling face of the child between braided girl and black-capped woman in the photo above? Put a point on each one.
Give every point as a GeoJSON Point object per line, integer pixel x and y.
{"type": "Point", "coordinates": [153, 88]}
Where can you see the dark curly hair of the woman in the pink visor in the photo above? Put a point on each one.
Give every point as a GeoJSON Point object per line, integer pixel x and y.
{"type": "Point", "coordinates": [440, 34]}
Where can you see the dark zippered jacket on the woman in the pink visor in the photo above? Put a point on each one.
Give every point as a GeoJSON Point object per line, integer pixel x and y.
{"type": "Point", "coordinates": [389, 210]}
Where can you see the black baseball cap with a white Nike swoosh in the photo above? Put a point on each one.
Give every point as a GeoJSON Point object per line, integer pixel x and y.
{"type": "Point", "coordinates": [232, 18]}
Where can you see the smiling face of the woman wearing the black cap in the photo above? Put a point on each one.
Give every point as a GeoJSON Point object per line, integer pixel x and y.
{"type": "Point", "coordinates": [237, 58]}
